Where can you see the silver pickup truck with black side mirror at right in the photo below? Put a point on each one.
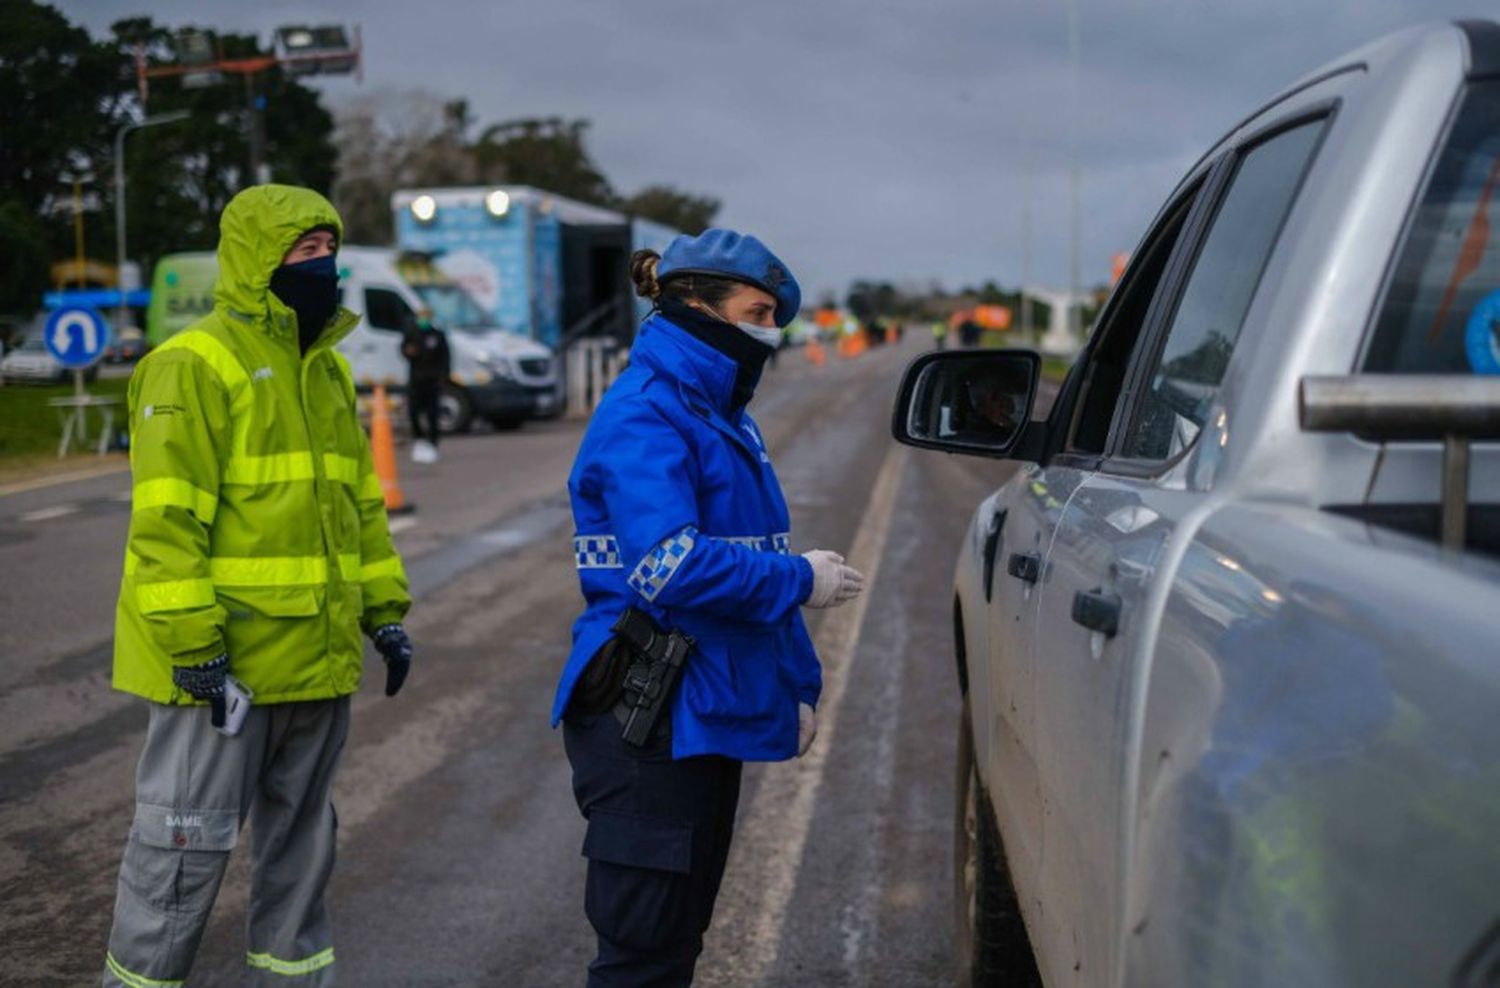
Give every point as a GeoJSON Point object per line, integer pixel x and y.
{"type": "Point", "coordinates": [1229, 636]}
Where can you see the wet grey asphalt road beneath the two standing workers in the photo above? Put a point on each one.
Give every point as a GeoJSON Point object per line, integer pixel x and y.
{"type": "Point", "coordinates": [460, 842]}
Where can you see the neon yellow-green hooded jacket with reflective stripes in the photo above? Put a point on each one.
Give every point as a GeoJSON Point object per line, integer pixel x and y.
{"type": "Point", "coordinates": [257, 522]}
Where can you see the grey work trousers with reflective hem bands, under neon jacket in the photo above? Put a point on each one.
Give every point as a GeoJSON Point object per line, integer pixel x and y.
{"type": "Point", "coordinates": [194, 789]}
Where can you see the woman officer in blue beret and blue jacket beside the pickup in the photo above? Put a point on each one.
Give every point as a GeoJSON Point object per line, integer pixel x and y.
{"type": "Point", "coordinates": [679, 515]}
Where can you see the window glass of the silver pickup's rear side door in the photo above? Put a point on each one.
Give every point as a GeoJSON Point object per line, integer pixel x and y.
{"type": "Point", "coordinates": [1184, 382]}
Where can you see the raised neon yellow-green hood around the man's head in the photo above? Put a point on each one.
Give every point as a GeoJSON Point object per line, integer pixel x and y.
{"type": "Point", "coordinates": [256, 232]}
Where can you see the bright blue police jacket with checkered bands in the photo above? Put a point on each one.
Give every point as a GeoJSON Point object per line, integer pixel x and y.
{"type": "Point", "coordinates": [679, 513]}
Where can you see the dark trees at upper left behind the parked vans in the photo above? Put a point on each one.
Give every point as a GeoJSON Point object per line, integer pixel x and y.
{"type": "Point", "coordinates": [65, 95]}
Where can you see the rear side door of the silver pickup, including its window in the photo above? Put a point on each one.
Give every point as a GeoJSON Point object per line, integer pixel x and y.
{"type": "Point", "coordinates": [1093, 621]}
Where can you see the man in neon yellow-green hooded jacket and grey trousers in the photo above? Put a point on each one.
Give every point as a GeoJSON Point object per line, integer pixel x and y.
{"type": "Point", "coordinates": [260, 551]}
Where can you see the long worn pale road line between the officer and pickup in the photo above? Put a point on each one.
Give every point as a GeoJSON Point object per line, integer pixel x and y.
{"type": "Point", "coordinates": [773, 834]}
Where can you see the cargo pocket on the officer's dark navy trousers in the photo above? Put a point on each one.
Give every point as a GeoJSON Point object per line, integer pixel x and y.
{"type": "Point", "coordinates": [638, 894]}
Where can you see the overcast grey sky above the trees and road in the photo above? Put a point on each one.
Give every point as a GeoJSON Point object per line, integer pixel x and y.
{"type": "Point", "coordinates": [860, 139]}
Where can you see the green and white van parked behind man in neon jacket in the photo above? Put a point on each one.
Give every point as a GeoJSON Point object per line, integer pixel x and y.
{"type": "Point", "coordinates": [497, 376]}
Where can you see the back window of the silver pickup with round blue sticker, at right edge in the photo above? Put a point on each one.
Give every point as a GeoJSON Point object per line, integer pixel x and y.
{"type": "Point", "coordinates": [1442, 308]}
